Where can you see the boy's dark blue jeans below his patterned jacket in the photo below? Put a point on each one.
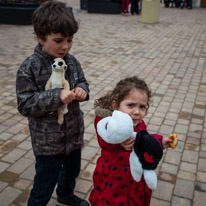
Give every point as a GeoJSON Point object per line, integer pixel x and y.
{"type": "Point", "coordinates": [61, 169]}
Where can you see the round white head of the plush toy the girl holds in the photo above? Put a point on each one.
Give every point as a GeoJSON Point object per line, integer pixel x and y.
{"type": "Point", "coordinates": [116, 129]}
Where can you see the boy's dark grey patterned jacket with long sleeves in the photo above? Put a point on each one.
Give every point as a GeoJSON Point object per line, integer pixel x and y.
{"type": "Point", "coordinates": [40, 106]}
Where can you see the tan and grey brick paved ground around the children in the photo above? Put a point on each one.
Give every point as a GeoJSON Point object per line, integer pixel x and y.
{"type": "Point", "coordinates": [170, 56]}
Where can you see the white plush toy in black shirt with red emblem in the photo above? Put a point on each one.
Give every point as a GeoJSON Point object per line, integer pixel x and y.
{"type": "Point", "coordinates": [146, 152]}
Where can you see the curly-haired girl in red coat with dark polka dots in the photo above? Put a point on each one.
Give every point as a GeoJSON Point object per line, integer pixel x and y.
{"type": "Point", "coordinates": [113, 182]}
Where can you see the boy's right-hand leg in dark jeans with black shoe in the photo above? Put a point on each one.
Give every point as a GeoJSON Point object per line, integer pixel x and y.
{"type": "Point", "coordinates": [66, 182]}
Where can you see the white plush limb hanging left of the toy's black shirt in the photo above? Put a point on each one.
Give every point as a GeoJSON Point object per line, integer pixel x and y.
{"type": "Point", "coordinates": [135, 166]}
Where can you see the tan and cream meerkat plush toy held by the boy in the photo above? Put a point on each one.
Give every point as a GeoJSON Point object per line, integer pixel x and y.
{"type": "Point", "coordinates": [57, 80]}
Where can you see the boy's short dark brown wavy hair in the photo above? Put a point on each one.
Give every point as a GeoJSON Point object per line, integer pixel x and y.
{"type": "Point", "coordinates": [54, 17]}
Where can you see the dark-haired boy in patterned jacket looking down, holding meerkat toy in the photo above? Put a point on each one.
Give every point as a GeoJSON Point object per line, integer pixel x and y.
{"type": "Point", "coordinates": [57, 148]}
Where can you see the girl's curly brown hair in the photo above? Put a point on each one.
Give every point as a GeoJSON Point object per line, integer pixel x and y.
{"type": "Point", "coordinates": [121, 90]}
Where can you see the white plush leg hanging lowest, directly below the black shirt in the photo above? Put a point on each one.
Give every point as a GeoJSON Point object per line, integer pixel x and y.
{"type": "Point", "coordinates": [150, 179]}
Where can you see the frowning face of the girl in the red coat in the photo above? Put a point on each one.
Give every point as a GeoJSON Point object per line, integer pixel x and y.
{"type": "Point", "coordinates": [135, 105]}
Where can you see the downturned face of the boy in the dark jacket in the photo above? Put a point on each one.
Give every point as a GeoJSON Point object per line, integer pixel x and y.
{"type": "Point", "coordinates": [56, 45]}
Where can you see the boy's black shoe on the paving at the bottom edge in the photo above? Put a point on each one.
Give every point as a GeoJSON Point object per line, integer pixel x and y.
{"type": "Point", "coordinates": [71, 201]}
